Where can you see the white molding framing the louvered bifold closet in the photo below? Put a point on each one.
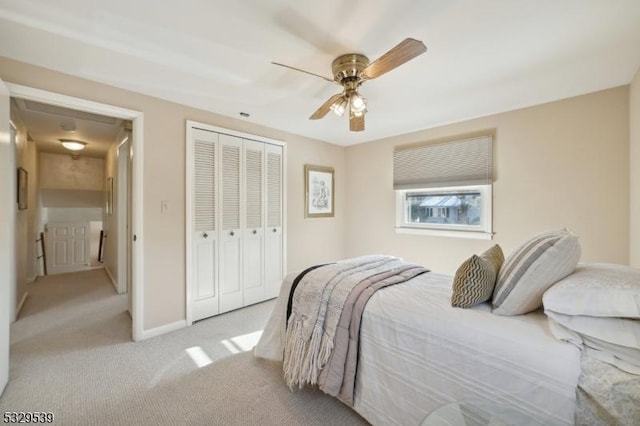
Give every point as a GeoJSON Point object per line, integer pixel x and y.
{"type": "Point", "coordinates": [189, 199]}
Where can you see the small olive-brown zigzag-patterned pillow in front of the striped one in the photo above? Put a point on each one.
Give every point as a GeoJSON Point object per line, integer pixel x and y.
{"type": "Point", "coordinates": [476, 277]}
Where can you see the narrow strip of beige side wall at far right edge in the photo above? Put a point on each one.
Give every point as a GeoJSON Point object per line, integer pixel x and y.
{"type": "Point", "coordinates": [634, 171]}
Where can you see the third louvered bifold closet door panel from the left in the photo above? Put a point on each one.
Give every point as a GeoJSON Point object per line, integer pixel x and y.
{"type": "Point", "coordinates": [253, 239]}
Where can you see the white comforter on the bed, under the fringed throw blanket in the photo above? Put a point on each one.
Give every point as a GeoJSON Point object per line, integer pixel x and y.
{"type": "Point", "coordinates": [418, 353]}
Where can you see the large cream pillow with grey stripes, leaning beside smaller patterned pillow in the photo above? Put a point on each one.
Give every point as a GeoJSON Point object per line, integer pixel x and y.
{"type": "Point", "coordinates": [531, 269]}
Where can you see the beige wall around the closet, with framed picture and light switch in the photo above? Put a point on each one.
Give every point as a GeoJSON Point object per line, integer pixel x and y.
{"type": "Point", "coordinates": [309, 241]}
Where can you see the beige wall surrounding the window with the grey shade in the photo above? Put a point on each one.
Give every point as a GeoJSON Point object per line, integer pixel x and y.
{"type": "Point", "coordinates": [559, 164]}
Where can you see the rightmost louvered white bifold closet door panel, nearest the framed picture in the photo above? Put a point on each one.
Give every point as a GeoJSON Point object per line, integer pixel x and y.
{"type": "Point", "coordinates": [274, 244]}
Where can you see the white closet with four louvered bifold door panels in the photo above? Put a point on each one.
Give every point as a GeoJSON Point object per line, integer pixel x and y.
{"type": "Point", "coordinates": [235, 221]}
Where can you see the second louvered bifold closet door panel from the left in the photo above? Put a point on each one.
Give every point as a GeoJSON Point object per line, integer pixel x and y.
{"type": "Point", "coordinates": [230, 279]}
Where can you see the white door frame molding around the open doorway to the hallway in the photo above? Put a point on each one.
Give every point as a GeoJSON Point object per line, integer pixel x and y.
{"type": "Point", "coordinates": [137, 144]}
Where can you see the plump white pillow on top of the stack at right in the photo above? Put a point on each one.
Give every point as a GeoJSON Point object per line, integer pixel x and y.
{"type": "Point", "coordinates": [597, 289]}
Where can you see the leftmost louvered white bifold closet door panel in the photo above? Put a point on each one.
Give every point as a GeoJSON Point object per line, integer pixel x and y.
{"type": "Point", "coordinates": [204, 238]}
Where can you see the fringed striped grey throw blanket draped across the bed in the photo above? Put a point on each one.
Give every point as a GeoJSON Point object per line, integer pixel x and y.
{"type": "Point", "coordinates": [319, 300]}
